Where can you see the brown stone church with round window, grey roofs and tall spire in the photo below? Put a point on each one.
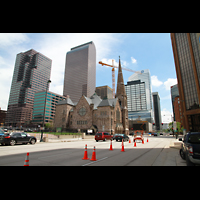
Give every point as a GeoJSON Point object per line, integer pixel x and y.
{"type": "Point", "coordinates": [94, 114]}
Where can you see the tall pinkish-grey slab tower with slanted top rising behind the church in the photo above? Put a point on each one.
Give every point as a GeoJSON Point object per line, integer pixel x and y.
{"type": "Point", "coordinates": [80, 72]}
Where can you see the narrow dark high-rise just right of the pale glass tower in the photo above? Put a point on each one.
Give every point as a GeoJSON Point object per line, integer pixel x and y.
{"type": "Point", "coordinates": [157, 111]}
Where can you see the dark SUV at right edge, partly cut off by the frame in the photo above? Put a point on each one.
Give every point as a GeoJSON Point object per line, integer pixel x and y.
{"type": "Point", "coordinates": [190, 149]}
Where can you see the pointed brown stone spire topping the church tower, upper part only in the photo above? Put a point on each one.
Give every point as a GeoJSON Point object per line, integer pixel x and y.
{"type": "Point", "coordinates": [120, 82]}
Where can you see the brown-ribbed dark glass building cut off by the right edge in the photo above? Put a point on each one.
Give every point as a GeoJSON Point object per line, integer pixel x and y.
{"type": "Point", "coordinates": [186, 50]}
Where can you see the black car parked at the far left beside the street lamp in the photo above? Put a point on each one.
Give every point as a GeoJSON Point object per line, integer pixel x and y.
{"type": "Point", "coordinates": [16, 138]}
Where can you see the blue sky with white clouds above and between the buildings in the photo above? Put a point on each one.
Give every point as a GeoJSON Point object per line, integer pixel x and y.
{"type": "Point", "coordinates": [137, 51]}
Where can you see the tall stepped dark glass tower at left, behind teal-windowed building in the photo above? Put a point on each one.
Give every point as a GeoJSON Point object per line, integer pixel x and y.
{"type": "Point", "coordinates": [31, 73]}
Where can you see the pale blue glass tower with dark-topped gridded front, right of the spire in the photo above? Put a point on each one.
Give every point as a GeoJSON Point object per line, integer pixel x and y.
{"type": "Point", "coordinates": [139, 99]}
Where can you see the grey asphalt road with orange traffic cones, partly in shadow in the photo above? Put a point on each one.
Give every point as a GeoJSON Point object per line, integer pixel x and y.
{"type": "Point", "coordinates": [154, 153]}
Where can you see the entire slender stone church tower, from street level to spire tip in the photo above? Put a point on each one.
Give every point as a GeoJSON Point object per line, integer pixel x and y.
{"type": "Point", "coordinates": [122, 97]}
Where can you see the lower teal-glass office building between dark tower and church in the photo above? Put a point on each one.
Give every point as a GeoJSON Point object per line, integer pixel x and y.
{"type": "Point", "coordinates": [38, 107]}
